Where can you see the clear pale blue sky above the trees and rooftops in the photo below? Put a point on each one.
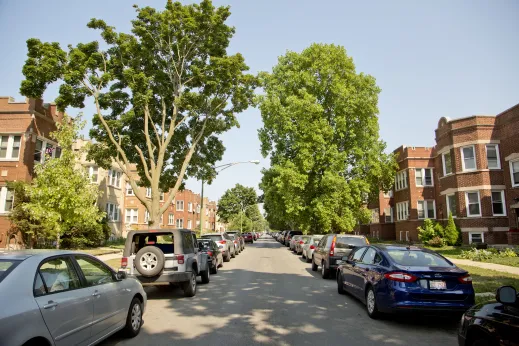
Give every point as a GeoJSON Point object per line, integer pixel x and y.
{"type": "Point", "coordinates": [442, 58]}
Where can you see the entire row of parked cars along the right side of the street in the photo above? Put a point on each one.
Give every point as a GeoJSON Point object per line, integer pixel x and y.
{"type": "Point", "coordinates": [405, 279]}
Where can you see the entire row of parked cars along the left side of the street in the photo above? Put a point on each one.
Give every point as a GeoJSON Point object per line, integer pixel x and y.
{"type": "Point", "coordinates": [71, 298]}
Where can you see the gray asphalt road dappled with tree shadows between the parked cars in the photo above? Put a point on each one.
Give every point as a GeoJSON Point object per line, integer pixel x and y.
{"type": "Point", "coordinates": [267, 295]}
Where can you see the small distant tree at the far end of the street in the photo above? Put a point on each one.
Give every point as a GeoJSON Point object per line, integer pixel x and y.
{"type": "Point", "coordinates": [236, 200]}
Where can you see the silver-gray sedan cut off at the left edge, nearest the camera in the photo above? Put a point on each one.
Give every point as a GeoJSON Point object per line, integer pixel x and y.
{"type": "Point", "coordinates": [65, 298]}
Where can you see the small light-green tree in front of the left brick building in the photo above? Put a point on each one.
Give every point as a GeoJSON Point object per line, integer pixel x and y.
{"type": "Point", "coordinates": [60, 200]}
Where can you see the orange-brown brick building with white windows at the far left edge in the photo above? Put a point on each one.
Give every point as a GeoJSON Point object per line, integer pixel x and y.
{"type": "Point", "coordinates": [25, 129]}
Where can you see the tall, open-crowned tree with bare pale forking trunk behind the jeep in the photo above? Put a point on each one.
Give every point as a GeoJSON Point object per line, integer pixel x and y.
{"type": "Point", "coordinates": [163, 93]}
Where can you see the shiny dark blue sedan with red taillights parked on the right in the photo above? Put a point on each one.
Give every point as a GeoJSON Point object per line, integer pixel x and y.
{"type": "Point", "coordinates": [403, 278]}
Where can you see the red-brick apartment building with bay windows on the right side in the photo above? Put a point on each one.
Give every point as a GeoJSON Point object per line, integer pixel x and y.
{"type": "Point", "coordinates": [471, 172]}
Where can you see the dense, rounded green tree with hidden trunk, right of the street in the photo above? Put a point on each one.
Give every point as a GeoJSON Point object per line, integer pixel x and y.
{"type": "Point", "coordinates": [321, 132]}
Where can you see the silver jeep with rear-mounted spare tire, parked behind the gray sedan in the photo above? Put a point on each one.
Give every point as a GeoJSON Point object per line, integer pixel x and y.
{"type": "Point", "coordinates": [165, 255]}
